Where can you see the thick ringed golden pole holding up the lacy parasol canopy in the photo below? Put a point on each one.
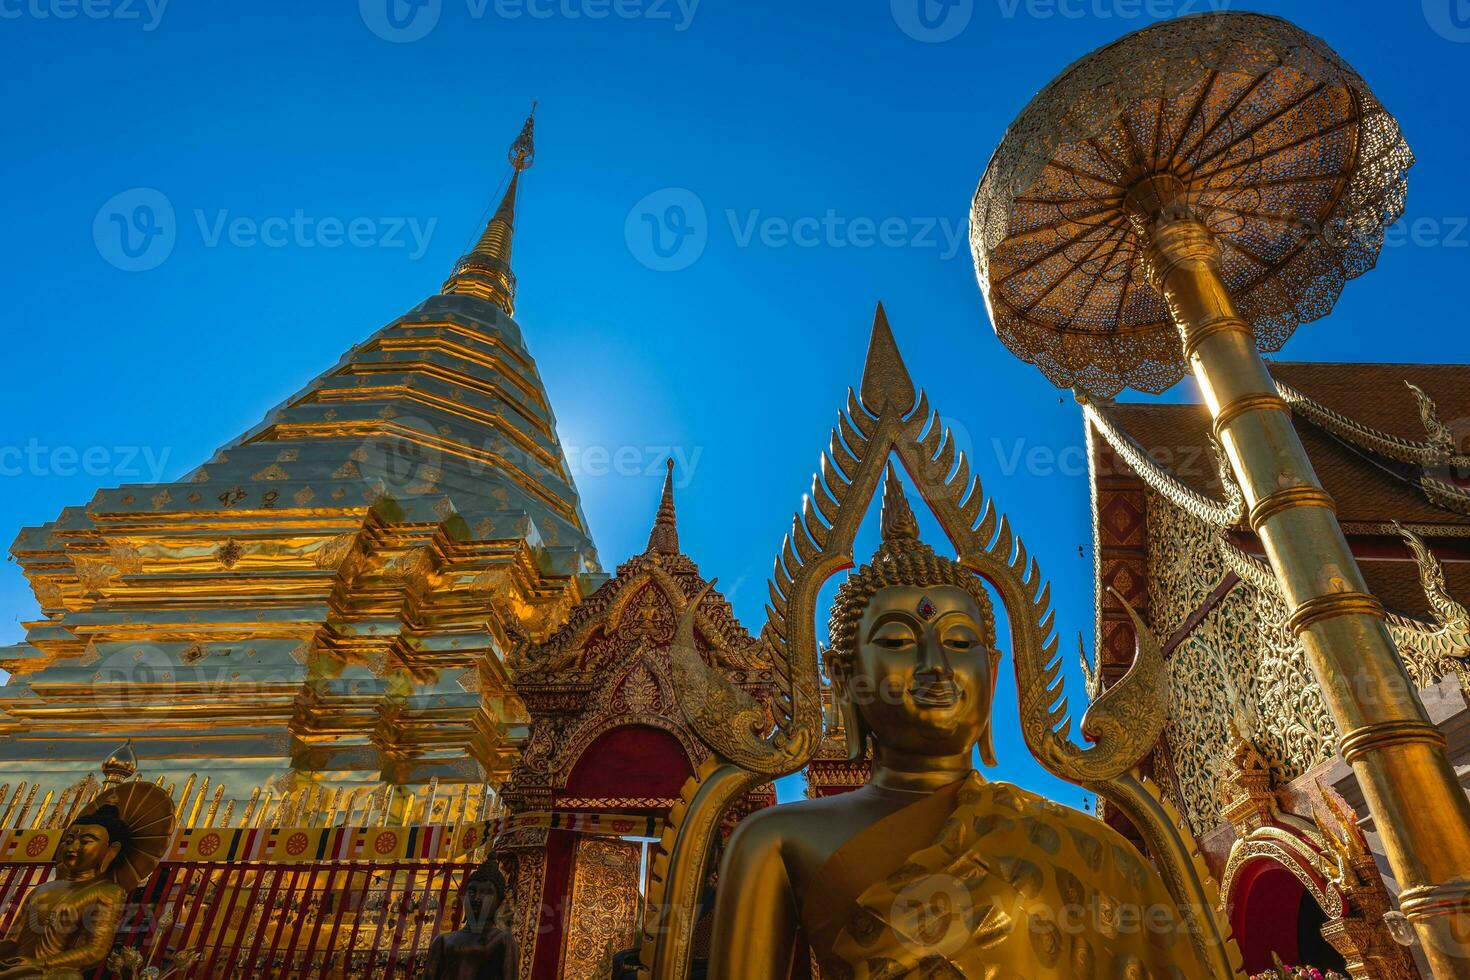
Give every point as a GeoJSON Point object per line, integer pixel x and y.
{"type": "Point", "coordinates": [1418, 804]}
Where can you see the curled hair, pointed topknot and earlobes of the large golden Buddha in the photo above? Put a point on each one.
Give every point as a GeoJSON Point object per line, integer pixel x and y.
{"type": "Point", "coordinates": [902, 561]}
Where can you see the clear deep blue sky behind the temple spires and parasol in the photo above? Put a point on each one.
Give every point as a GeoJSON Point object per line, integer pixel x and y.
{"type": "Point", "coordinates": [855, 117]}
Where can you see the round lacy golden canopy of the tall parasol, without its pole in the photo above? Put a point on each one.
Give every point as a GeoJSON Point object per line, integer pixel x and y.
{"type": "Point", "coordinates": [1286, 155]}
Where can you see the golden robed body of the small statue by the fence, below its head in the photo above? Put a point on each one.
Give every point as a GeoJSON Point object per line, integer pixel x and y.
{"type": "Point", "coordinates": [67, 926]}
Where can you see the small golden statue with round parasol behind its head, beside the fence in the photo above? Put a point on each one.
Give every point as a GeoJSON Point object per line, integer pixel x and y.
{"type": "Point", "coordinates": [68, 925]}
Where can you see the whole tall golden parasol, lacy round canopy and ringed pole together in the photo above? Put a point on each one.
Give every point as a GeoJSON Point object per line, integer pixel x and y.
{"type": "Point", "coordinates": [1178, 202]}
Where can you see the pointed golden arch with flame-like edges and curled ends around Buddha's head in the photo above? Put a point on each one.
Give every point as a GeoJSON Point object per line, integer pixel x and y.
{"type": "Point", "coordinates": [890, 418]}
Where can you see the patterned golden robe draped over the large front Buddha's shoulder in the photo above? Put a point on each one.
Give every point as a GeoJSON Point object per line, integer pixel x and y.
{"type": "Point", "coordinates": [1011, 887]}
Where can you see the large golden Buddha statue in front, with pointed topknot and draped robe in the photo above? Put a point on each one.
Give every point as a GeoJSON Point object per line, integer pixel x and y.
{"type": "Point", "coordinates": [930, 871]}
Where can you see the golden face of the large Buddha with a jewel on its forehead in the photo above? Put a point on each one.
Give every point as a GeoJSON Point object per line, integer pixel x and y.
{"type": "Point", "coordinates": [922, 674]}
